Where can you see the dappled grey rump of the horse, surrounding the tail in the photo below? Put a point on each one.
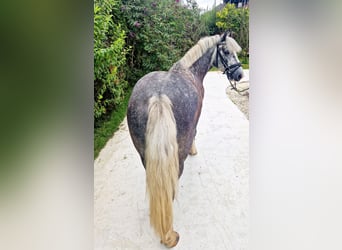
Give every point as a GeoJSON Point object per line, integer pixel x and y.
{"type": "Point", "coordinates": [186, 102]}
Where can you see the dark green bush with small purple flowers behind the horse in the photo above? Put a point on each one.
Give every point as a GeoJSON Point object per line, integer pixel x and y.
{"type": "Point", "coordinates": [159, 33]}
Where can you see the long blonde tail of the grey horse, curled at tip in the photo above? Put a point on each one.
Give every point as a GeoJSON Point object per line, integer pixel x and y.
{"type": "Point", "coordinates": [162, 167]}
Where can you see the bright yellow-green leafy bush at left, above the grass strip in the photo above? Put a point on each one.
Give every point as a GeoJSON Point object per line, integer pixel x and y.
{"type": "Point", "coordinates": [109, 58]}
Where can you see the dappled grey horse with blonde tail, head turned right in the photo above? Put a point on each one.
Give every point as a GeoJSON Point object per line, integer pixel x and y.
{"type": "Point", "coordinates": [162, 116]}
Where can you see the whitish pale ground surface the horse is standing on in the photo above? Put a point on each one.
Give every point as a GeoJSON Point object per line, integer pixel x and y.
{"type": "Point", "coordinates": [211, 210]}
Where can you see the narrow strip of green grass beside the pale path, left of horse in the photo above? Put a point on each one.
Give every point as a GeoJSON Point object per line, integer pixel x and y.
{"type": "Point", "coordinates": [106, 128]}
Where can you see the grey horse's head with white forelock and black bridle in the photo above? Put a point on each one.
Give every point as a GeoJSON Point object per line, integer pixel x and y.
{"type": "Point", "coordinates": [227, 59]}
